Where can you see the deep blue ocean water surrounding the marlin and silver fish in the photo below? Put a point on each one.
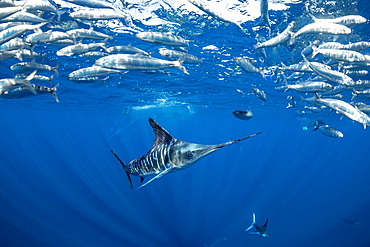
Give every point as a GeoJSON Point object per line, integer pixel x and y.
{"type": "Point", "coordinates": [61, 186]}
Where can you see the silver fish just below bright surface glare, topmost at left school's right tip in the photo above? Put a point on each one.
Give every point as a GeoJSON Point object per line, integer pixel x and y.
{"type": "Point", "coordinates": [162, 39]}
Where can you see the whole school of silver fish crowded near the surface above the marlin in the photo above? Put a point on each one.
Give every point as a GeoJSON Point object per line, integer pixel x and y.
{"type": "Point", "coordinates": [326, 69]}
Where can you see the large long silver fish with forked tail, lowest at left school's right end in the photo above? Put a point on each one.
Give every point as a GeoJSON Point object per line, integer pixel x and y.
{"type": "Point", "coordinates": [137, 62]}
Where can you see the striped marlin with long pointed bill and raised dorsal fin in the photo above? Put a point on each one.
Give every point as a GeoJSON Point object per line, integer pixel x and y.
{"type": "Point", "coordinates": [167, 155]}
